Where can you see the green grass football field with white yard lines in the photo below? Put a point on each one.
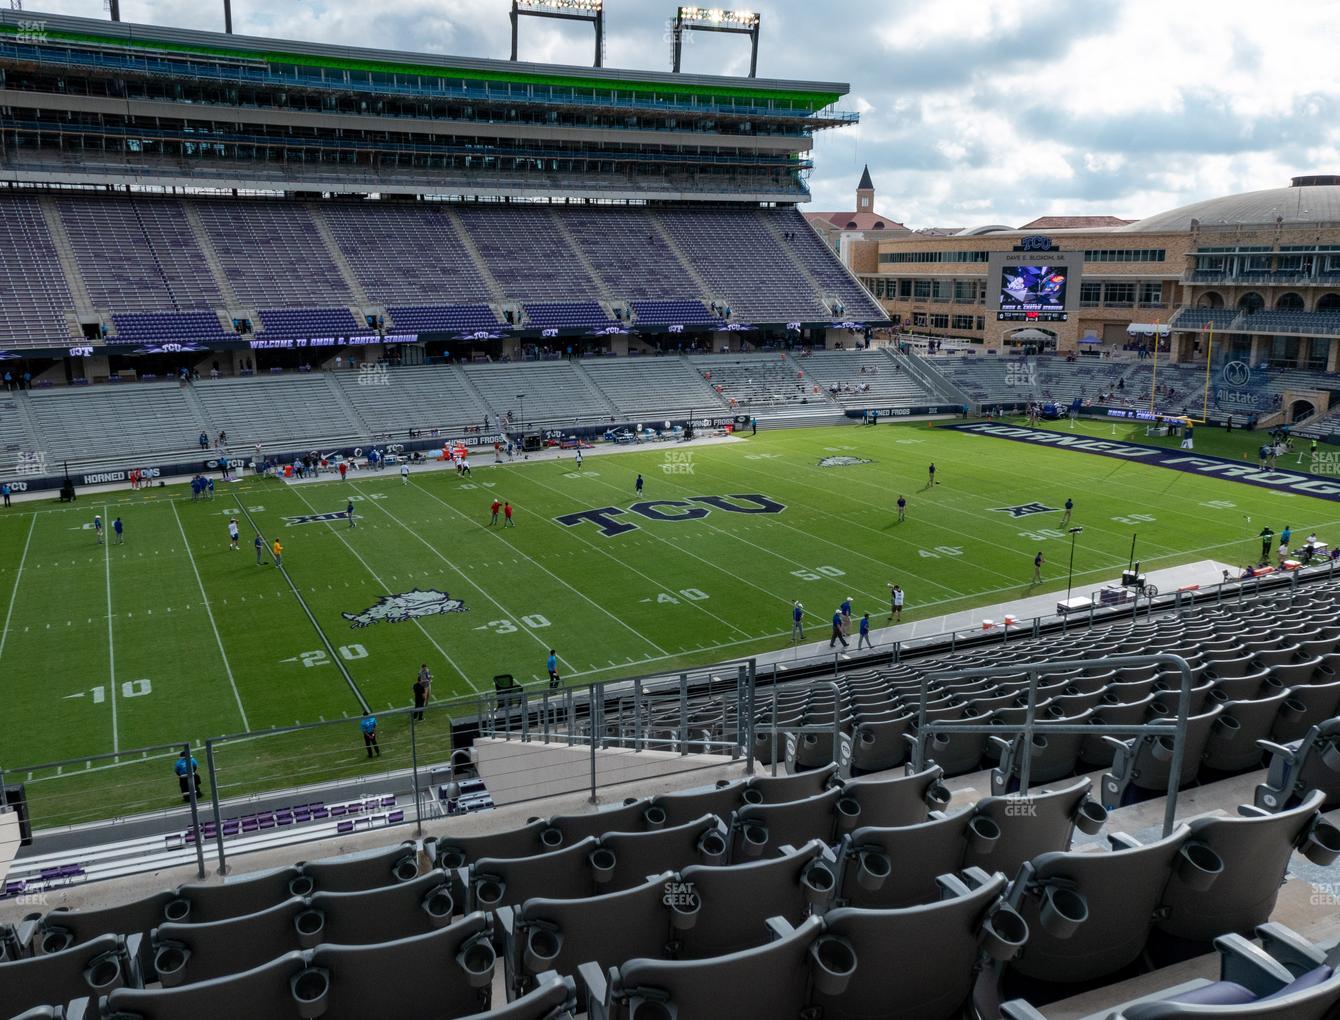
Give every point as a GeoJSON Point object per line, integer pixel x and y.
{"type": "Point", "coordinates": [175, 637]}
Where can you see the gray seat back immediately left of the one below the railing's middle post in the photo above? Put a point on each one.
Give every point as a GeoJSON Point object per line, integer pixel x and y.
{"type": "Point", "coordinates": [897, 867]}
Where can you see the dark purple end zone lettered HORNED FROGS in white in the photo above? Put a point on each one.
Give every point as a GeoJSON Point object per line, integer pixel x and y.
{"type": "Point", "coordinates": [1160, 458]}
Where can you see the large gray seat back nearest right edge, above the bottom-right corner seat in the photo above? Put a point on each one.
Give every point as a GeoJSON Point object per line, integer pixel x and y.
{"type": "Point", "coordinates": [1255, 852]}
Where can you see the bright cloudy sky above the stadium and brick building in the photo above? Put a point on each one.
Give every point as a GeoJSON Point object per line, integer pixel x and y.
{"type": "Point", "coordinates": [972, 111]}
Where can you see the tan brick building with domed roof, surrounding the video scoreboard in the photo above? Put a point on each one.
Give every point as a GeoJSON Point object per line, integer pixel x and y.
{"type": "Point", "coordinates": [1263, 269]}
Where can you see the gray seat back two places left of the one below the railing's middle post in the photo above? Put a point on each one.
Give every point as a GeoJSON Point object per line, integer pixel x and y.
{"type": "Point", "coordinates": [731, 904]}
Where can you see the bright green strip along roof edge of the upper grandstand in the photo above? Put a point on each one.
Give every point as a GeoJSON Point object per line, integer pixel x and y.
{"type": "Point", "coordinates": [817, 101]}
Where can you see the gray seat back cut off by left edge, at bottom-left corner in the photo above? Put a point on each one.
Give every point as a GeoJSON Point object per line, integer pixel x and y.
{"type": "Point", "coordinates": [92, 968]}
